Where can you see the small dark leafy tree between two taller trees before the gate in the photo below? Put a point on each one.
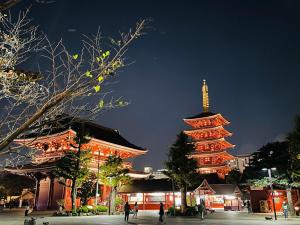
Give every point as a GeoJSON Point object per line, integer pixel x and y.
{"type": "Point", "coordinates": [87, 189]}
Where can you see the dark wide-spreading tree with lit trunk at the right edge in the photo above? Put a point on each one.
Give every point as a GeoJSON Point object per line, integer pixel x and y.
{"type": "Point", "coordinates": [279, 155]}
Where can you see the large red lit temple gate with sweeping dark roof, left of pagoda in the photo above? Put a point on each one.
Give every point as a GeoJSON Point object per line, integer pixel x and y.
{"type": "Point", "coordinates": [53, 141]}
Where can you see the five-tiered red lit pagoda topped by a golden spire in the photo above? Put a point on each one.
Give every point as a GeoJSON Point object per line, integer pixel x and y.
{"type": "Point", "coordinates": [208, 135]}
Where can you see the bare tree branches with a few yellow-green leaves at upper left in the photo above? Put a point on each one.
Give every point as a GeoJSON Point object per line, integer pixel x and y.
{"type": "Point", "coordinates": [71, 82]}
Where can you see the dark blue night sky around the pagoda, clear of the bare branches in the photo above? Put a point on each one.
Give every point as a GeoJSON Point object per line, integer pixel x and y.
{"type": "Point", "coordinates": [248, 51]}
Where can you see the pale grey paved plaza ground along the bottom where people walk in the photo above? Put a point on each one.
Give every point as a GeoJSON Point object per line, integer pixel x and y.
{"type": "Point", "coordinates": [222, 218]}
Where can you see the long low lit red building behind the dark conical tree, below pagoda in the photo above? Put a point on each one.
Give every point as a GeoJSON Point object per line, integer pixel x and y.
{"type": "Point", "coordinates": [148, 193]}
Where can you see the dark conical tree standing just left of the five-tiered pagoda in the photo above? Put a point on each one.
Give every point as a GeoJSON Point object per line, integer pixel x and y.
{"type": "Point", "coordinates": [181, 168]}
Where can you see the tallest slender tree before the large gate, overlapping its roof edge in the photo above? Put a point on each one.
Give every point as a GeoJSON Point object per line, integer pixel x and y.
{"type": "Point", "coordinates": [73, 166]}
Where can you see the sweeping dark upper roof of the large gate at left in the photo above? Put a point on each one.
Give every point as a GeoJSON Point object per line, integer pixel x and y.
{"type": "Point", "coordinates": [65, 123]}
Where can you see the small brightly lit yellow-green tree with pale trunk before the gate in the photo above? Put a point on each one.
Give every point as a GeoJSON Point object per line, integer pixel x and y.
{"type": "Point", "coordinates": [114, 174]}
